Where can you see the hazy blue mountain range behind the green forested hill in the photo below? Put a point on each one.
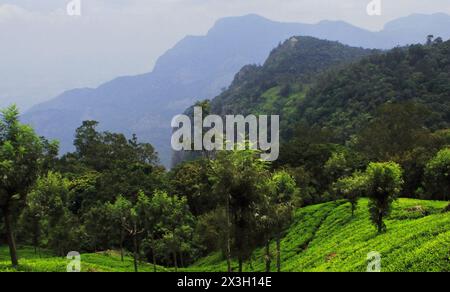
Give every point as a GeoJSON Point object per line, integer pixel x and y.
{"type": "Point", "coordinates": [200, 67]}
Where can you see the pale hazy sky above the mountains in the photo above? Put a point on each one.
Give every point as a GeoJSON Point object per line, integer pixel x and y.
{"type": "Point", "coordinates": [43, 51]}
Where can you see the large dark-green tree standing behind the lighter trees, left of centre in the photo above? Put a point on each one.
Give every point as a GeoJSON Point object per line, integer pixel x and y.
{"type": "Point", "coordinates": [124, 166]}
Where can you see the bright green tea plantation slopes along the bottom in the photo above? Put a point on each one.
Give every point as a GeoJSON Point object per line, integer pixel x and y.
{"type": "Point", "coordinates": [323, 238]}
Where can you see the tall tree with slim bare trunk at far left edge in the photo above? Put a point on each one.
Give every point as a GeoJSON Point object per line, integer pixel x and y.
{"type": "Point", "coordinates": [21, 153]}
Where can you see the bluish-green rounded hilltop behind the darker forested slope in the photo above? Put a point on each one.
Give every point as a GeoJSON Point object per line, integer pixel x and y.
{"type": "Point", "coordinates": [294, 63]}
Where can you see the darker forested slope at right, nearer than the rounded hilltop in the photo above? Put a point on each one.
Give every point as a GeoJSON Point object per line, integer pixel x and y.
{"type": "Point", "coordinates": [345, 99]}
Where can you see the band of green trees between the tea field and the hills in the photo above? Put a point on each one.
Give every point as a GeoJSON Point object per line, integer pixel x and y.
{"type": "Point", "coordinates": [111, 192]}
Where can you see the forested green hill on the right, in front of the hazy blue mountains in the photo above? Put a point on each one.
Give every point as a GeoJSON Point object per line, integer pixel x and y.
{"type": "Point", "coordinates": [332, 86]}
